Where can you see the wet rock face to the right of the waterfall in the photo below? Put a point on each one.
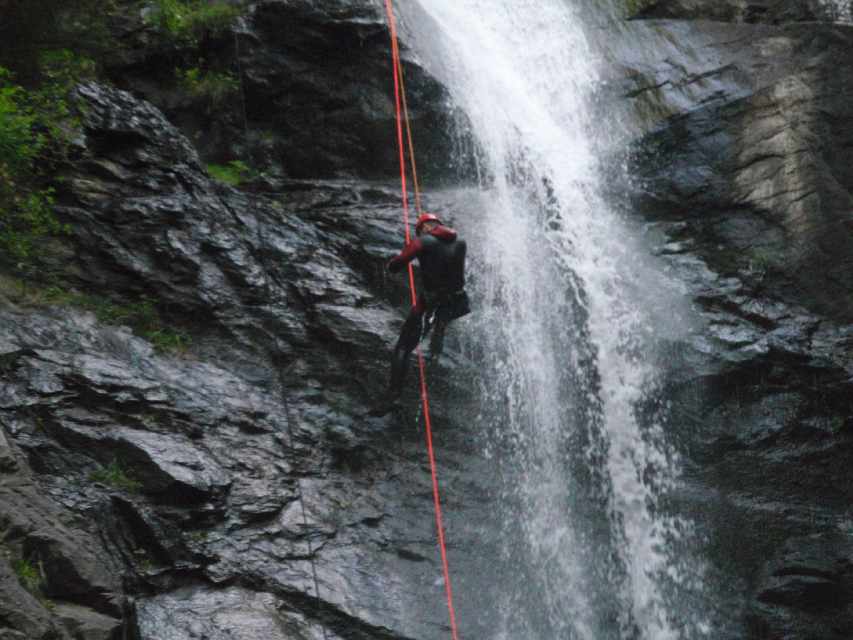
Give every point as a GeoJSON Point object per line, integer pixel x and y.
{"type": "Point", "coordinates": [741, 163]}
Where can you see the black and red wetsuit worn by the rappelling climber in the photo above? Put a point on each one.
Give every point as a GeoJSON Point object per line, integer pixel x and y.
{"type": "Point", "coordinates": [442, 298]}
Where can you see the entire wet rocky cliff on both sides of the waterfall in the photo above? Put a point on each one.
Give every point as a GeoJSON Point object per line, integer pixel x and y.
{"type": "Point", "coordinates": [211, 484]}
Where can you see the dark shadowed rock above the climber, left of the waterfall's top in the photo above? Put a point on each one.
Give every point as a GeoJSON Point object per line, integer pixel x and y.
{"type": "Point", "coordinates": [316, 81]}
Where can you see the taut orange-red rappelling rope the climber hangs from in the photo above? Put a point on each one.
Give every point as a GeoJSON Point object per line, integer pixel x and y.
{"type": "Point", "coordinates": [401, 110]}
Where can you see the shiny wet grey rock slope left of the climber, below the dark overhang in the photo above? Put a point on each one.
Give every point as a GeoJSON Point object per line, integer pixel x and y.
{"type": "Point", "coordinates": [162, 495]}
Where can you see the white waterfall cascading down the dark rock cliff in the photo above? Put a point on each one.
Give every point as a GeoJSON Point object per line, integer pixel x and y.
{"type": "Point", "coordinates": [565, 332]}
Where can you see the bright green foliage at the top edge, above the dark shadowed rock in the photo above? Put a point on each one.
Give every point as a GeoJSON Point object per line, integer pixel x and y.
{"type": "Point", "coordinates": [187, 21]}
